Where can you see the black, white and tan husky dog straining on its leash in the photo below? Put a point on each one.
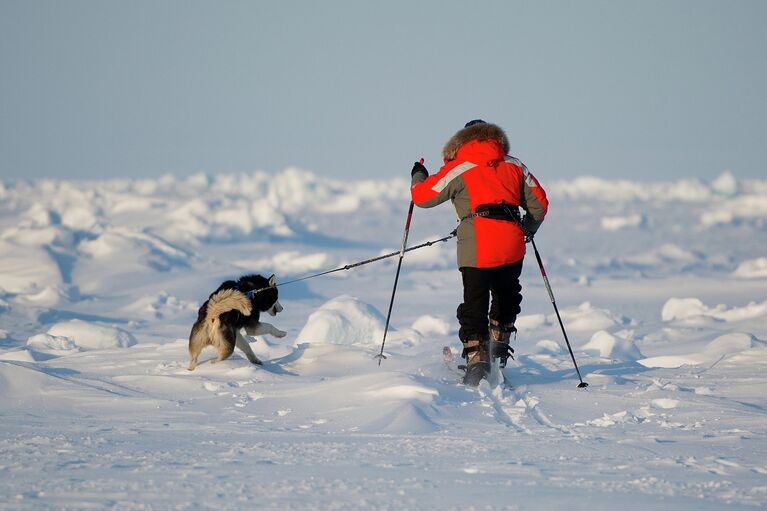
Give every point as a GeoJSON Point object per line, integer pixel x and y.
{"type": "Point", "coordinates": [230, 308]}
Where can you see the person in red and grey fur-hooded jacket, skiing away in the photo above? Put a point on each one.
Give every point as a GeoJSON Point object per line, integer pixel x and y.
{"type": "Point", "coordinates": [487, 187]}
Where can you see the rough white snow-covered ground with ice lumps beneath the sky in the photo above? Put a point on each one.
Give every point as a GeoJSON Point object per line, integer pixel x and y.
{"type": "Point", "coordinates": [662, 287]}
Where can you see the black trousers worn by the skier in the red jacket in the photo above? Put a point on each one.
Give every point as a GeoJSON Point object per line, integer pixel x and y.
{"type": "Point", "coordinates": [502, 282]}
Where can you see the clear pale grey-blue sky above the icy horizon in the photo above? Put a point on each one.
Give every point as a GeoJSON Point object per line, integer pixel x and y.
{"type": "Point", "coordinates": [650, 90]}
